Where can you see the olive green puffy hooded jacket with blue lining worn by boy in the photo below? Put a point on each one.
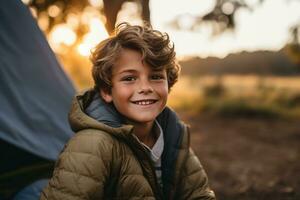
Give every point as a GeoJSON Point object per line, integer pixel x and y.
{"type": "Point", "coordinates": [104, 160]}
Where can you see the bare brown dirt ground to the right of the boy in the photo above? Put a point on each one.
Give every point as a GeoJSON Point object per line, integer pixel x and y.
{"type": "Point", "coordinates": [248, 158]}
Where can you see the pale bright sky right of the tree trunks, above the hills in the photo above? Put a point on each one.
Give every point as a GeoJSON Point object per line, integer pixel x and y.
{"type": "Point", "coordinates": [267, 27]}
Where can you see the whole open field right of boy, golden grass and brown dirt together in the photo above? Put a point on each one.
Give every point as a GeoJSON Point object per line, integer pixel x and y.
{"type": "Point", "coordinates": [251, 151]}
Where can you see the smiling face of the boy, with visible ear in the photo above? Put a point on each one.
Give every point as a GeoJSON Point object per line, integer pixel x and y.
{"type": "Point", "coordinates": [138, 92]}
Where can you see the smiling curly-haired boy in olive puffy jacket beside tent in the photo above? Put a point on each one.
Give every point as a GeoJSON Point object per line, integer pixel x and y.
{"type": "Point", "coordinates": [128, 144]}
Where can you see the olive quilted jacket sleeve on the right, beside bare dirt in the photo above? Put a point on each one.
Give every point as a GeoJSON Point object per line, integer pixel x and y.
{"type": "Point", "coordinates": [194, 182]}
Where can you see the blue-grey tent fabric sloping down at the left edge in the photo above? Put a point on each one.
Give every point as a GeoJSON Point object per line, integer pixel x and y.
{"type": "Point", "coordinates": [35, 93]}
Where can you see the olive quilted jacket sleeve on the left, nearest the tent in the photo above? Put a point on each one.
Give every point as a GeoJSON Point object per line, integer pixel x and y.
{"type": "Point", "coordinates": [82, 169]}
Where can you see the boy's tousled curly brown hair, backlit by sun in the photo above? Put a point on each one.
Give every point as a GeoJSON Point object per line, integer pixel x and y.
{"type": "Point", "coordinates": [156, 49]}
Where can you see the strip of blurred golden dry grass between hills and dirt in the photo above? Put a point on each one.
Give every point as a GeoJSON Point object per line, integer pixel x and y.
{"type": "Point", "coordinates": [238, 95]}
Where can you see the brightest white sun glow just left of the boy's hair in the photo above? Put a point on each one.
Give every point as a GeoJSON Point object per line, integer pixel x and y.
{"type": "Point", "coordinates": [91, 39]}
